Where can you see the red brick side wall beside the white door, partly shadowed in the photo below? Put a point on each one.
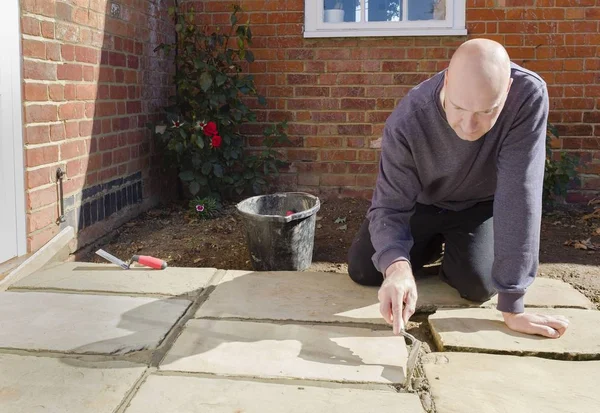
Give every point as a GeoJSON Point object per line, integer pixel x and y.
{"type": "Point", "coordinates": [90, 83]}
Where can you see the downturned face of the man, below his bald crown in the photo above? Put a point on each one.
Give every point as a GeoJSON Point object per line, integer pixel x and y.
{"type": "Point", "coordinates": [472, 111]}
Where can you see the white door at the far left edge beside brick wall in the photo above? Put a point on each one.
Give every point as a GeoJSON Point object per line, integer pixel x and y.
{"type": "Point", "coordinates": [12, 202]}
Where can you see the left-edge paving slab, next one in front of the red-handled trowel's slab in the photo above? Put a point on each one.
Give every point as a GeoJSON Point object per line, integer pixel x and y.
{"type": "Point", "coordinates": [86, 323]}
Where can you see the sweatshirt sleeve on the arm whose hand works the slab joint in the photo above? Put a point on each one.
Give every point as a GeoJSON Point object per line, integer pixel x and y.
{"type": "Point", "coordinates": [393, 200]}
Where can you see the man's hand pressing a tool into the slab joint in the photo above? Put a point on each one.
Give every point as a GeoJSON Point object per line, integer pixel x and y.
{"type": "Point", "coordinates": [398, 295]}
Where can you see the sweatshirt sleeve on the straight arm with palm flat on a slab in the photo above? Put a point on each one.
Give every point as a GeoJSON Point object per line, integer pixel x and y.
{"type": "Point", "coordinates": [518, 202]}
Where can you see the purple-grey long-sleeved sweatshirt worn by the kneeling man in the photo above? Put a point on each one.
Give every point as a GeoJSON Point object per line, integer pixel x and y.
{"type": "Point", "coordinates": [424, 161]}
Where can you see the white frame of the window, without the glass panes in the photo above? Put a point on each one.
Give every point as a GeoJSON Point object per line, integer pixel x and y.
{"type": "Point", "coordinates": [454, 25]}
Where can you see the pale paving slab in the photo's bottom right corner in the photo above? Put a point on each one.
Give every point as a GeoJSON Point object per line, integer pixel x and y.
{"type": "Point", "coordinates": [487, 383]}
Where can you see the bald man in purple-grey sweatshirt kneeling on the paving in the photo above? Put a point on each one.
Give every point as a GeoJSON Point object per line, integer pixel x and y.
{"type": "Point", "coordinates": [462, 164]}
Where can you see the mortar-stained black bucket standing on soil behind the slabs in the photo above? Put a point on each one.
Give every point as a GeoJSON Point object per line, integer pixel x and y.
{"type": "Point", "coordinates": [280, 230]}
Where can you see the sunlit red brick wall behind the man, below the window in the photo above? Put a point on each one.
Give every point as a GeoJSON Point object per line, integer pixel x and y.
{"type": "Point", "coordinates": [337, 93]}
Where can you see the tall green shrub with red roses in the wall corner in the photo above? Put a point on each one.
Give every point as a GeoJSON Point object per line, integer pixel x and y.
{"type": "Point", "coordinates": [200, 132]}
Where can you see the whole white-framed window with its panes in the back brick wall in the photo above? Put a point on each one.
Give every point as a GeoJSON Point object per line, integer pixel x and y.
{"type": "Point", "coordinates": [359, 18]}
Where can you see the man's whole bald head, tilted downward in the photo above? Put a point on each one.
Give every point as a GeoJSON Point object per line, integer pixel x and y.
{"type": "Point", "coordinates": [476, 85]}
